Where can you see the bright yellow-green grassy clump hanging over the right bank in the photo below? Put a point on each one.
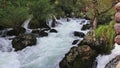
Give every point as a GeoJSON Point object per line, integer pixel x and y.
{"type": "Point", "coordinates": [107, 34]}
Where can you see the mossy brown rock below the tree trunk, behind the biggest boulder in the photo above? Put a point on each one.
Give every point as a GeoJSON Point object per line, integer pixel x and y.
{"type": "Point", "coordinates": [100, 45]}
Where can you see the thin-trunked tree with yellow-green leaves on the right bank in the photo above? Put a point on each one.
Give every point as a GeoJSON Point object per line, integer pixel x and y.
{"type": "Point", "coordinates": [100, 7]}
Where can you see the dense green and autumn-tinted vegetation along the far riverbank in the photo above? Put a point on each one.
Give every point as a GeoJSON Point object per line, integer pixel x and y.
{"type": "Point", "coordinates": [14, 12]}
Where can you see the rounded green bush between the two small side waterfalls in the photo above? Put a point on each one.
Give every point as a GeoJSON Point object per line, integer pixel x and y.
{"type": "Point", "coordinates": [41, 10]}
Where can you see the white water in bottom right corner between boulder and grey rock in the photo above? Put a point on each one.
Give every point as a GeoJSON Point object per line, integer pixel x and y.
{"type": "Point", "coordinates": [104, 59]}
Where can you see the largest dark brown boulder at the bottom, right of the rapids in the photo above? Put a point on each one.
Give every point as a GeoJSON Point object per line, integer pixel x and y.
{"type": "Point", "coordinates": [78, 57]}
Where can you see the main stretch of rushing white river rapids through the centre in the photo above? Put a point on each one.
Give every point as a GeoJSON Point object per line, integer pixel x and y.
{"type": "Point", "coordinates": [48, 51]}
